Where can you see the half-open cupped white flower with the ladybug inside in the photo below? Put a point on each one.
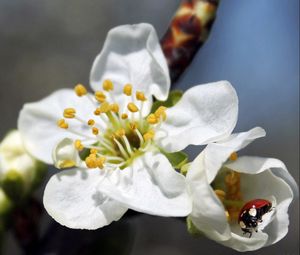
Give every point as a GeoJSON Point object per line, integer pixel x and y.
{"type": "Point", "coordinates": [221, 183]}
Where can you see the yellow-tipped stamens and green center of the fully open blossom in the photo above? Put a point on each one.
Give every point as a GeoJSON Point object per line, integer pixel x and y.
{"type": "Point", "coordinates": [119, 135]}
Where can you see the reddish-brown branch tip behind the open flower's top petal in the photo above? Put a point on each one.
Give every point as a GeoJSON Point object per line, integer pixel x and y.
{"type": "Point", "coordinates": [187, 32]}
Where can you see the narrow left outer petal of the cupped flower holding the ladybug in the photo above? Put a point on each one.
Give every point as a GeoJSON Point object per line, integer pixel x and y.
{"type": "Point", "coordinates": [208, 213]}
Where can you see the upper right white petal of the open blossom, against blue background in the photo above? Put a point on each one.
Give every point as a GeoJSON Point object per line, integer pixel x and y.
{"type": "Point", "coordinates": [205, 113]}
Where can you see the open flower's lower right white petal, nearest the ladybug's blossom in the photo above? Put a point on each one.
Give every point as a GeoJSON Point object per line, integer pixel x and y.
{"type": "Point", "coordinates": [149, 185]}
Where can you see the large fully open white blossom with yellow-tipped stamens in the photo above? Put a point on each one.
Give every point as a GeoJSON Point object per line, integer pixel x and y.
{"type": "Point", "coordinates": [112, 140]}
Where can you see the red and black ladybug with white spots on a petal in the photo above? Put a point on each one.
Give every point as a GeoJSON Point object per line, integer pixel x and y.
{"type": "Point", "coordinates": [251, 214]}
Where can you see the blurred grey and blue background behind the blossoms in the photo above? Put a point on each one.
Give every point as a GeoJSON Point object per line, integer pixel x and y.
{"type": "Point", "coordinates": [47, 45]}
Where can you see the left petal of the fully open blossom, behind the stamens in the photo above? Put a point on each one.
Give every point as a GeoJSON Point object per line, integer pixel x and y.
{"type": "Point", "coordinates": [37, 122]}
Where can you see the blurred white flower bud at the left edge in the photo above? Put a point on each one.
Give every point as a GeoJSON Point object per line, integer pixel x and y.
{"type": "Point", "coordinates": [16, 164]}
